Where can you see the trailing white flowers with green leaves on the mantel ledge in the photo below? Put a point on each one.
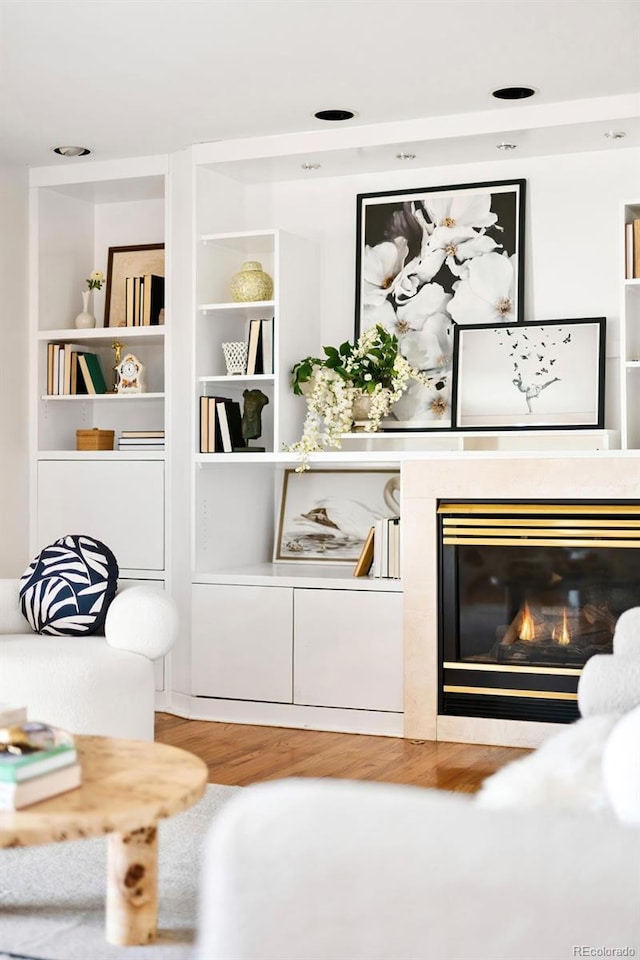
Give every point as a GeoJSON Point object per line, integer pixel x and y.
{"type": "Point", "coordinates": [370, 367]}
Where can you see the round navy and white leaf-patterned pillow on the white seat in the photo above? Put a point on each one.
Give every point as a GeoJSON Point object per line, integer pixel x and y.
{"type": "Point", "coordinates": [67, 589]}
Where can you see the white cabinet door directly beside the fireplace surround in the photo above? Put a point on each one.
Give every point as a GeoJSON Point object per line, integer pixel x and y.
{"type": "Point", "coordinates": [348, 649]}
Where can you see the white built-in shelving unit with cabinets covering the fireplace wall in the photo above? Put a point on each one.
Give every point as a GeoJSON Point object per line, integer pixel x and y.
{"type": "Point", "coordinates": [286, 643]}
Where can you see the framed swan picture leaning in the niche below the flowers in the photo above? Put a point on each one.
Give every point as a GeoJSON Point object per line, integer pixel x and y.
{"type": "Point", "coordinates": [325, 515]}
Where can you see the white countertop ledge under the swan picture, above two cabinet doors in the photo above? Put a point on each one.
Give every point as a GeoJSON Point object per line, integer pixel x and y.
{"type": "Point", "coordinates": [295, 574]}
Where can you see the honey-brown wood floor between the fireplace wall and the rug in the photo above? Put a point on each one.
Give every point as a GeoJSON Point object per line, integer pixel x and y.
{"type": "Point", "coordinates": [240, 755]}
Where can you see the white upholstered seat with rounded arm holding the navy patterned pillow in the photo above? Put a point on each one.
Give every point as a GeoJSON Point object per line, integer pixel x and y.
{"type": "Point", "coordinates": [101, 684]}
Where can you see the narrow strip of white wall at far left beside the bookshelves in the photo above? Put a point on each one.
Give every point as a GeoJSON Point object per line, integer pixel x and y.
{"type": "Point", "coordinates": [14, 471]}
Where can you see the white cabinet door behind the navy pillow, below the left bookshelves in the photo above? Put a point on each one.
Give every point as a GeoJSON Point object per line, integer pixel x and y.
{"type": "Point", "coordinates": [121, 504]}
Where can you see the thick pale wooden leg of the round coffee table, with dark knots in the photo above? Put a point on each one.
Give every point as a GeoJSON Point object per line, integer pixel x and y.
{"type": "Point", "coordinates": [132, 887]}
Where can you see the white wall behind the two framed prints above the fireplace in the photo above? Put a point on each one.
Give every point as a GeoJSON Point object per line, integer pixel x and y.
{"type": "Point", "coordinates": [572, 234]}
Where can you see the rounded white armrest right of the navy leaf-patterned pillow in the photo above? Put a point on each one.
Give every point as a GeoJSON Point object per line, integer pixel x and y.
{"type": "Point", "coordinates": [144, 620]}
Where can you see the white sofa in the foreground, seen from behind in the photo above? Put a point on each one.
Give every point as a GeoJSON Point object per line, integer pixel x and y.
{"type": "Point", "coordinates": [337, 870]}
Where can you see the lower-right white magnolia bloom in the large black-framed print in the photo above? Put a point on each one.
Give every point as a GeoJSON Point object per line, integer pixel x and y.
{"type": "Point", "coordinates": [487, 295]}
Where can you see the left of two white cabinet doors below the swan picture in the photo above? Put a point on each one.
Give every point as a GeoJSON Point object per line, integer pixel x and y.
{"type": "Point", "coordinates": [241, 642]}
